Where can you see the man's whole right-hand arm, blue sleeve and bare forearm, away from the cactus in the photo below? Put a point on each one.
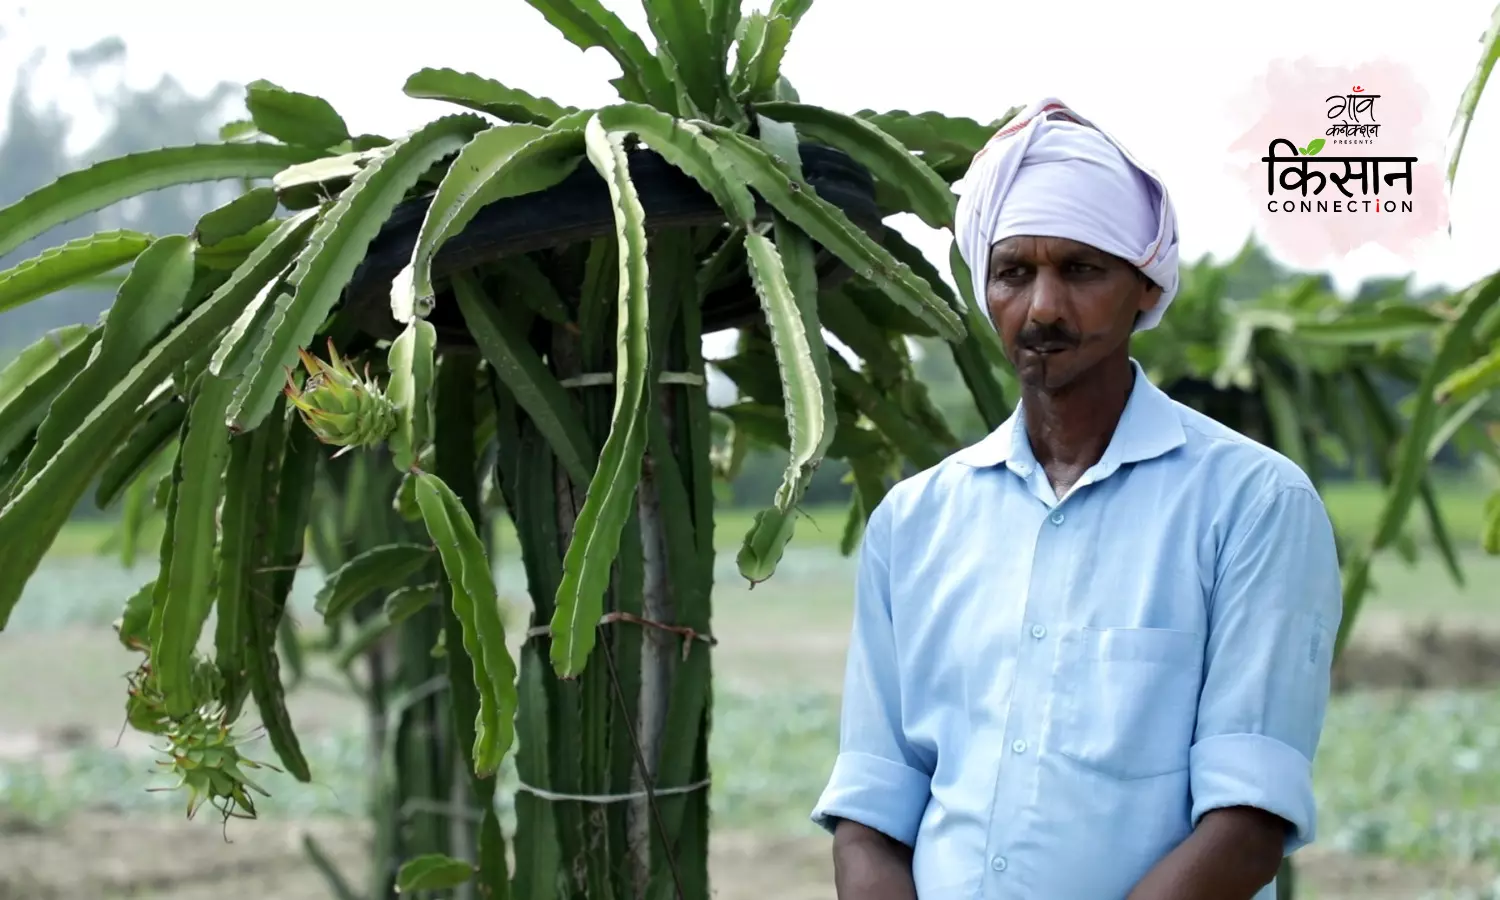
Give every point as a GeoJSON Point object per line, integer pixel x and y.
{"type": "Point", "coordinates": [1273, 620]}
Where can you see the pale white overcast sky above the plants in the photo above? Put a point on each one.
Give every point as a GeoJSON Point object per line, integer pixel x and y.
{"type": "Point", "coordinates": [1160, 76]}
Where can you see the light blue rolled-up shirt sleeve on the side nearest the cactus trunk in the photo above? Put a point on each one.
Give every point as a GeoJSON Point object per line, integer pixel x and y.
{"type": "Point", "coordinates": [878, 779]}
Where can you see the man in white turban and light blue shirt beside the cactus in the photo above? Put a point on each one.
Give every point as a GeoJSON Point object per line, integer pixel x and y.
{"type": "Point", "coordinates": [1091, 653]}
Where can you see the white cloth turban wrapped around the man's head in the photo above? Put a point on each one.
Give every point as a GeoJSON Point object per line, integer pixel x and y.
{"type": "Point", "coordinates": [1052, 173]}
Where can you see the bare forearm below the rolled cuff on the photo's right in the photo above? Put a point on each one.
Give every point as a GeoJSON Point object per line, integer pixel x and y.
{"type": "Point", "coordinates": [1232, 854]}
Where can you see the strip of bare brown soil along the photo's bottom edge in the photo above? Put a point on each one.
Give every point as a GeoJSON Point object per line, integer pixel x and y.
{"type": "Point", "coordinates": [110, 857]}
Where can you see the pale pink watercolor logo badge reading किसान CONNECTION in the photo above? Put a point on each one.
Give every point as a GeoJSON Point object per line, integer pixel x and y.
{"type": "Point", "coordinates": [1339, 160]}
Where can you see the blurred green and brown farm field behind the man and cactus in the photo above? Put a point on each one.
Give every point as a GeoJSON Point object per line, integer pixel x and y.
{"type": "Point", "coordinates": [1411, 799]}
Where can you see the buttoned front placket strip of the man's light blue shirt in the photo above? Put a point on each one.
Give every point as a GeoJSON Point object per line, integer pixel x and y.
{"type": "Point", "coordinates": [1016, 791]}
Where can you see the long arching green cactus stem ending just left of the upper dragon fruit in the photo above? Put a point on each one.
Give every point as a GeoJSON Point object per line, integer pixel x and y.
{"type": "Point", "coordinates": [335, 250]}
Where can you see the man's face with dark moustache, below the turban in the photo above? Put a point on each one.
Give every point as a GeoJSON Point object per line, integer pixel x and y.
{"type": "Point", "coordinates": [1063, 307]}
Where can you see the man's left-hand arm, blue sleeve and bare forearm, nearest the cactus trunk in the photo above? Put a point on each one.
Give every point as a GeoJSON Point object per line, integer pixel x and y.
{"type": "Point", "coordinates": [880, 787]}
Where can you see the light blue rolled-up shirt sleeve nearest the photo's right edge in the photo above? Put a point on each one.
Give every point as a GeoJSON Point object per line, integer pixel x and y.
{"type": "Point", "coordinates": [1273, 622]}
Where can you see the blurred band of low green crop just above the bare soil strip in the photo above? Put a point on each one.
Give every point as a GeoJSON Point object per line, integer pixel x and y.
{"type": "Point", "coordinates": [1402, 778]}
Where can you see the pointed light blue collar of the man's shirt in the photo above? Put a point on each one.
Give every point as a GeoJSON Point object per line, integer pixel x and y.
{"type": "Point", "coordinates": [1148, 428]}
